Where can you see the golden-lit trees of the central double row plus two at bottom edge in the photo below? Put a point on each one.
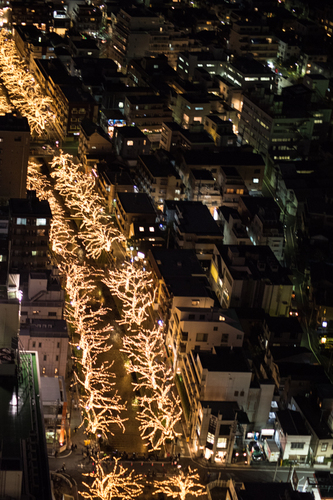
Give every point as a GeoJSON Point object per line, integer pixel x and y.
{"type": "Point", "coordinates": [101, 405]}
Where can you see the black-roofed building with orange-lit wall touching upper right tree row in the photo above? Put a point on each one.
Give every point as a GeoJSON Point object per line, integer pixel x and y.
{"type": "Point", "coordinates": [133, 207]}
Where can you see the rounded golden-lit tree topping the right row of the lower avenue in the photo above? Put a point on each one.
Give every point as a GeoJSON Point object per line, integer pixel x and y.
{"type": "Point", "coordinates": [134, 287]}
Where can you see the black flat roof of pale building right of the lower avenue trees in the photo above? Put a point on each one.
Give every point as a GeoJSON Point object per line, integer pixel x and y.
{"type": "Point", "coordinates": [226, 359]}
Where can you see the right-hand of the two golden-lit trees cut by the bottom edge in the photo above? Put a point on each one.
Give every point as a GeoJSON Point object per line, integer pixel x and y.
{"type": "Point", "coordinates": [181, 486]}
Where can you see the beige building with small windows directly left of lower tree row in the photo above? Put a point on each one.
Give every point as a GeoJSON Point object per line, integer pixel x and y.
{"type": "Point", "coordinates": [49, 338]}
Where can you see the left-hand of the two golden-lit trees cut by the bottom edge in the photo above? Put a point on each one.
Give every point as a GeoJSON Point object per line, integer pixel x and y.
{"type": "Point", "coordinates": [120, 483]}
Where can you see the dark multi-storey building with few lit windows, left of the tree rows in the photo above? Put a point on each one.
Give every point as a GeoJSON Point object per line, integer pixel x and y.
{"type": "Point", "coordinates": [29, 226]}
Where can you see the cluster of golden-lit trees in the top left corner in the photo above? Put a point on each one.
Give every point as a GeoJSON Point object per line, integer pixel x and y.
{"type": "Point", "coordinates": [25, 95]}
